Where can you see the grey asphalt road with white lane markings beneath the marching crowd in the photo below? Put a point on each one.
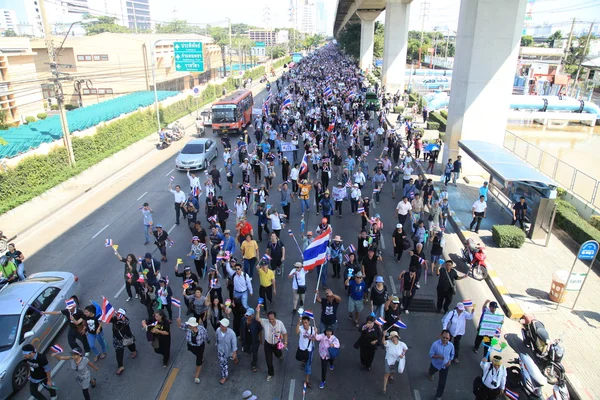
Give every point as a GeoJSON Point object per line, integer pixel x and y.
{"type": "Point", "coordinates": [114, 214]}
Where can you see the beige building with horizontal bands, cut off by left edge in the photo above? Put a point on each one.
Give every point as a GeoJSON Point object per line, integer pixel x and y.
{"type": "Point", "coordinates": [20, 90]}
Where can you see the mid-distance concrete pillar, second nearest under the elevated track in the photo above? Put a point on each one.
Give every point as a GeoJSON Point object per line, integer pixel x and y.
{"type": "Point", "coordinates": [395, 44]}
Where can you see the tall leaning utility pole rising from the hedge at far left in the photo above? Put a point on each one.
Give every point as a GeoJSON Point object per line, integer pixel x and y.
{"type": "Point", "coordinates": [60, 98]}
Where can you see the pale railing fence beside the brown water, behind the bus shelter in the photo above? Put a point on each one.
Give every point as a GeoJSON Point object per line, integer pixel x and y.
{"type": "Point", "coordinates": [568, 177]}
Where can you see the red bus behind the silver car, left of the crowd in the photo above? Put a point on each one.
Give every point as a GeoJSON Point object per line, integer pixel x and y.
{"type": "Point", "coordinates": [232, 113]}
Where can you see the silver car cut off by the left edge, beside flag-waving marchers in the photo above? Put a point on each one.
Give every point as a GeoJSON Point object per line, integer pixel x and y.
{"type": "Point", "coordinates": [19, 325]}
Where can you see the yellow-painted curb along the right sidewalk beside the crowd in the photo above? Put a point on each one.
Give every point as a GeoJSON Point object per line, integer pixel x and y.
{"type": "Point", "coordinates": [509, 304]}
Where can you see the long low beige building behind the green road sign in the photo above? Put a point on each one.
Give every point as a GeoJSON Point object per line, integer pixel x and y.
{"type": "Point", "coordinates": [109, 65]}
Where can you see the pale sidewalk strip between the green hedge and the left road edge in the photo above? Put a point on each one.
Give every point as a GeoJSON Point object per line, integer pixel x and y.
{"type": "Point", "coordinates": [21, 219]}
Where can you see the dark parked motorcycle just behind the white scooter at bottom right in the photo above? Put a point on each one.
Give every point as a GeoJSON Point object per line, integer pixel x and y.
{"type": "Point", "coordinates": [549, 353]}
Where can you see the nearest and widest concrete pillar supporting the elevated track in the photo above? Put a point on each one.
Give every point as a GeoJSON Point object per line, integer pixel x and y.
{"type": "Point", "coordinates": [487, 49]}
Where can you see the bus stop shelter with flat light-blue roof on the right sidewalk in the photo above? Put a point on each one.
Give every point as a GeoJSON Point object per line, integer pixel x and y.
{"type": "Point", "coordinates": [512, 178]}
